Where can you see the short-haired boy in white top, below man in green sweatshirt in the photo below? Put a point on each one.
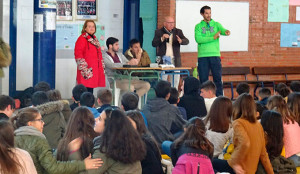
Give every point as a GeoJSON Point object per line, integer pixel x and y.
{"type": "Point", "coordinates": [208, 92]}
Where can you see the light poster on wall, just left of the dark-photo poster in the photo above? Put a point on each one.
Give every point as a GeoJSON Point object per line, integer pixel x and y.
{"type": "Point", "coordinates": [64, 10]}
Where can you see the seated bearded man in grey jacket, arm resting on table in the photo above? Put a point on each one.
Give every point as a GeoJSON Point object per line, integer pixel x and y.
{"type": "Point", "coordinates": [113, 59]}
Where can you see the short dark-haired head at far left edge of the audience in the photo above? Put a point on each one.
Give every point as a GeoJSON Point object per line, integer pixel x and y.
{"type": "Point", "coordinates": [7, 105]}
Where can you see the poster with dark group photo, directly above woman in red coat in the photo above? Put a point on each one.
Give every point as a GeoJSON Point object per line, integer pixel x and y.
{"type": "Point", "coordinates": [86, 9]}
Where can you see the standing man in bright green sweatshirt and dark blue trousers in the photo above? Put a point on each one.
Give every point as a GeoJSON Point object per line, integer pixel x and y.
{"type": "Point", "coordinates": [207, 34]}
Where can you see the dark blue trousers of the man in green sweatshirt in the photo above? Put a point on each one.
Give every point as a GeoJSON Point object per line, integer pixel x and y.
{"type": "Point", "coordinates": [205, 64]}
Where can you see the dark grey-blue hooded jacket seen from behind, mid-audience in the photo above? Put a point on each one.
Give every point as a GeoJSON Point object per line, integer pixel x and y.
{"type": "Point", "coordinates": [164, 119]}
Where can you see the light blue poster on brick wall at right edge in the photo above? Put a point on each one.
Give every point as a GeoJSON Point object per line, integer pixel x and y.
{"type": "Point", "coordinates": [290, 35]}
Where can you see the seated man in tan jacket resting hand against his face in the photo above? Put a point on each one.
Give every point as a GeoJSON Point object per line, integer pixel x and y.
{"type": "Point", "coordinates": [136, 52]}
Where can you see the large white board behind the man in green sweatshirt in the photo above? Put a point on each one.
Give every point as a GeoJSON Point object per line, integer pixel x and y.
{"type": "Point", "coordinates": [233, 16]}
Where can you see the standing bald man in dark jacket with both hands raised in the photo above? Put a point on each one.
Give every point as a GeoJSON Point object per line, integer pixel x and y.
{"type": "Point", "coordinates": [167, 40]}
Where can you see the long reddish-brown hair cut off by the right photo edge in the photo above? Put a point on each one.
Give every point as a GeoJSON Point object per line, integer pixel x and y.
{"type": "Point", "coordinates": [294, 105]}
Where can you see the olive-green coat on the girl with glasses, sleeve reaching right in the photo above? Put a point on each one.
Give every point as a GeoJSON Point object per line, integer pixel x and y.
{"type": "Point", "coordinates": [34, 142]}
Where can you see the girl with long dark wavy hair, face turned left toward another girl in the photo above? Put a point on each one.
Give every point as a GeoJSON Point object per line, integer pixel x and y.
{"type": "Point", "coordinates": [120, 146]}
